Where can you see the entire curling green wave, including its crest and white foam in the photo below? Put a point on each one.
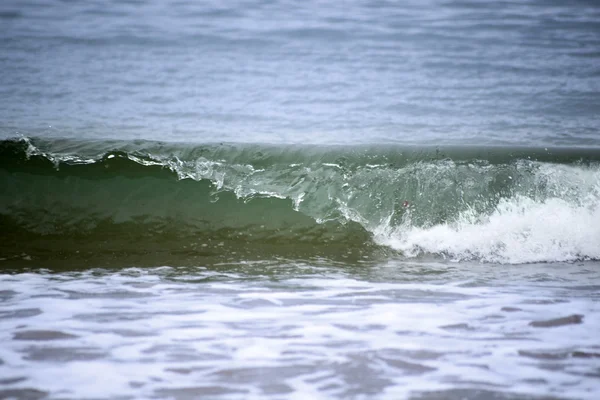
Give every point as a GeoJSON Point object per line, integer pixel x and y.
{"type": "Point", "coordinates": [151, 203]}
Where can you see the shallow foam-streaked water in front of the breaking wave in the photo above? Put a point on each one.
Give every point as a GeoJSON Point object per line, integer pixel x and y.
{"type": "Point", "coordinates": [424, 330]}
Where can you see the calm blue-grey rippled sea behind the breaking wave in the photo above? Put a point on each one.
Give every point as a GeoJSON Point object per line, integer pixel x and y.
{"type": "Point", "coordinates": [282, 71]}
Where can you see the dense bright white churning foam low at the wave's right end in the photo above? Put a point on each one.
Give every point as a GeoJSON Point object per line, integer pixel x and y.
{"type": "Point", "coordinates": [520, 230]}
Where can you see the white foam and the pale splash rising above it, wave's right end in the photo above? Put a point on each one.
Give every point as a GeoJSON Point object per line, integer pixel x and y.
{"type": "Point", "coordinates": [553, 215]}
